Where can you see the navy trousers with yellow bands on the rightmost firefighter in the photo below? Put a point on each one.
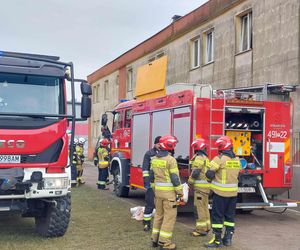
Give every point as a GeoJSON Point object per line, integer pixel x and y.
{"type": "Point", "coordinates": [223, 213]}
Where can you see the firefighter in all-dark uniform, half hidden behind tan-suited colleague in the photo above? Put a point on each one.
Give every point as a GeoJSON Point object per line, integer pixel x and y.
{"type": "Point", "coordinates": [149, 196]}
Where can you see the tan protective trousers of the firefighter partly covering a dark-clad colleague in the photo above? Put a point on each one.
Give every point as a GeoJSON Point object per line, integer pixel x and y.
{"type": "Point", "coordinates": [164, 220]}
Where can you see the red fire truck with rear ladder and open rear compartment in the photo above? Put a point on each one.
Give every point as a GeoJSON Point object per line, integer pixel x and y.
{"type": "Point", "coordinates": [258, 119]}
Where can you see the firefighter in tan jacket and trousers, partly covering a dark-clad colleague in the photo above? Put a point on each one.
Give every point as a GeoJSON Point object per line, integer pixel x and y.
{"type": "Point", "coordinates": [164, 175]}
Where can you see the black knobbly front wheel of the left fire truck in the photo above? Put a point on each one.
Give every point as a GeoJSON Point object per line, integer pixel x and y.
{"type": "Point", "coordinates": [55, 221]}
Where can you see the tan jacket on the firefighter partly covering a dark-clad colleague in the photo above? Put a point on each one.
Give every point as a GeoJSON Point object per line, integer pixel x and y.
{"type": "Point", "coordinates": [165, 176]}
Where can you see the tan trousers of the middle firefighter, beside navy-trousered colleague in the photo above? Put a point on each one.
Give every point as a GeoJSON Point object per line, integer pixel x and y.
{"type": "Point", "coordinates": [202, 213]}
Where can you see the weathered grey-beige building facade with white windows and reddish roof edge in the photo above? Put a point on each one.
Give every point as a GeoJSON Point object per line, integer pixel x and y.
{"type": "Point", "coordinates": [228, 43]}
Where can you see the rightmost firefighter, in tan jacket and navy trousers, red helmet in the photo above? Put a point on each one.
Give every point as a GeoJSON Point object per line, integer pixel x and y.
{"type": "Point", "coordinates": [223, 172]}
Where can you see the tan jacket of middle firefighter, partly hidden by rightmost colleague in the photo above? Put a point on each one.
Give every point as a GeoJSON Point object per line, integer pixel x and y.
{"type": "Point", "coordinates": [199, 164]}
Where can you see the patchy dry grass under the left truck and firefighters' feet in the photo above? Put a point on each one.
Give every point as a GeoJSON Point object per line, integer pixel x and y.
{"type": "Point", "coordinates": [99, 221]}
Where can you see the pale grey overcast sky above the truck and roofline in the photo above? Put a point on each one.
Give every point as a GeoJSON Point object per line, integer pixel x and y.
{"type": "Point", "coordinates": [90, 33]}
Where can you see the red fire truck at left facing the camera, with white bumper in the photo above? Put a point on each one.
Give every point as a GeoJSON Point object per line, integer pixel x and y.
{"type": "Point", "coordinates": [34, 165]}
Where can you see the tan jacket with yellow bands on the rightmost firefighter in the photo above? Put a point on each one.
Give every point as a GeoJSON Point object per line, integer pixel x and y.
{"type": "Point", "coordinates": [225, 181]}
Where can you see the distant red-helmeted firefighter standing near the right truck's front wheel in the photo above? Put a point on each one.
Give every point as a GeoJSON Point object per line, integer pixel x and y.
{"type": "Point", "coordinates": [103, 162]}
